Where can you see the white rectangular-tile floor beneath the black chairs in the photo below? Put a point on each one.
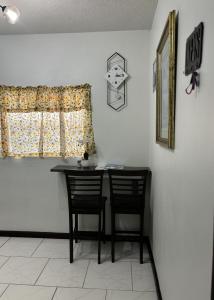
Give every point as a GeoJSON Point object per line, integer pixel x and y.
{"type": "Point", "coordinates": [39, 269]}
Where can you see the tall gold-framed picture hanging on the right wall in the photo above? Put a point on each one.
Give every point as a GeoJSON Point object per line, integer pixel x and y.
{"type": "Point", "coordinates": [165, 90]}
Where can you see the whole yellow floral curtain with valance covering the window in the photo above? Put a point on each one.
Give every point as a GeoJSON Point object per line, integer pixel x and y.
{"type": "Point", "coordinates": [46, 121]}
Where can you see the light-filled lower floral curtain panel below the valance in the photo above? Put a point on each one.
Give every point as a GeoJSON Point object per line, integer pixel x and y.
{"type": "Point", "coordinates": [52, 134]}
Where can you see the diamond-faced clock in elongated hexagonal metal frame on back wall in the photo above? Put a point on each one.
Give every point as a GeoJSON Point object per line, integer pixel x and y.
{"type": "Point", "coordinates": [116, 81]}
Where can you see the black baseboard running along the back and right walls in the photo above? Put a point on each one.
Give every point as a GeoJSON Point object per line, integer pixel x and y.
{"type": "Point", "coordinates": [86, 236]}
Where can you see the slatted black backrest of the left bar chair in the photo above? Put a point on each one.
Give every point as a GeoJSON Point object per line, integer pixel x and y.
{"type": "Point", "coordinates": [84, 183]}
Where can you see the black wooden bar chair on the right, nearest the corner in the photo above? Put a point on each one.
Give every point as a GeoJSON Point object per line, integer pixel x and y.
{"type": "Point", "coordinates": [127, 196]}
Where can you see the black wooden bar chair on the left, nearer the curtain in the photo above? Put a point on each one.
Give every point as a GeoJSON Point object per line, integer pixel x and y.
{"type": "Point", "coordinates": [85, 197]}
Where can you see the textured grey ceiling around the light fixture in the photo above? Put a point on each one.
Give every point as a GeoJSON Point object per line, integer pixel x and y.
{"type": "Point", "coordinates": [63, 16]}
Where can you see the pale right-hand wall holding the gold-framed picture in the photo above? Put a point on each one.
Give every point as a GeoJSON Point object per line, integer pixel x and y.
{"type": "Point", "coordinates": [183, 179]}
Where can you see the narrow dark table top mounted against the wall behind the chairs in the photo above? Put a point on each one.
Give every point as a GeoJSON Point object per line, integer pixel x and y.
{"type": "Point", "coordinates": [63, 168]}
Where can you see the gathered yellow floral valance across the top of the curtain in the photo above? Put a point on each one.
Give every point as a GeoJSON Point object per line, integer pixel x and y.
{"type": "Point", "coordinates": [45, 99]}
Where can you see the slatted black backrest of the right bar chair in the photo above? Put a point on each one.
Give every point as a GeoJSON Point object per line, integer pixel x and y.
{"type": "Point", "coordinates": [128, 184]}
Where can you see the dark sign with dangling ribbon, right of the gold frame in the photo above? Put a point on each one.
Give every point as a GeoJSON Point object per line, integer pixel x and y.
{"type": "Point", "coordinates": [194, 47]}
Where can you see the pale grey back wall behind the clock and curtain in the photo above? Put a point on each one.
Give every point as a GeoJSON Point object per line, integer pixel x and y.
{"type": "Point", "coordinates": [31, 197]}
